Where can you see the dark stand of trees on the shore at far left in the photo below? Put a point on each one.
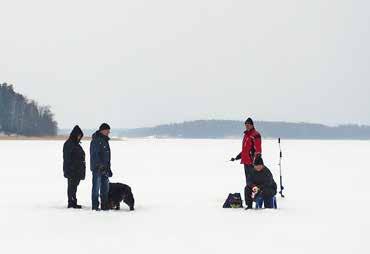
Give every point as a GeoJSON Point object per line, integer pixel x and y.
{"type": "Point", "coordinates": [21, 116]}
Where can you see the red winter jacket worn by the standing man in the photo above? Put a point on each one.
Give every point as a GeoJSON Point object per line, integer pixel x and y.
{"type": "Point", "coordinates": [252, 147]}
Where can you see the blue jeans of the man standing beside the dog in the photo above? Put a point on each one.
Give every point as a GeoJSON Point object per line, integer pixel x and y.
{"type": "Point", "coordinates": [100, 186]}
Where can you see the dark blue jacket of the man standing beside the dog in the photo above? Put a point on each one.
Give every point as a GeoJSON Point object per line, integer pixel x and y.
{"type": "Point", "coordinates": [100, 154]}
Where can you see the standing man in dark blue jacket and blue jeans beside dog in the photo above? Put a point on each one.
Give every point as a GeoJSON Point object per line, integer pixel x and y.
{"type": "Point", "coordinates": [100, 157]}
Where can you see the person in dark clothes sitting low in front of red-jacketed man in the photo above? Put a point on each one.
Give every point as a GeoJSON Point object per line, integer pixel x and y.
{"type": "Point", "coordinates": [260, 183]}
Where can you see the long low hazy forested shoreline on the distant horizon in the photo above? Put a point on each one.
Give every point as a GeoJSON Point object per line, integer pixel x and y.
{"type": "Point", "coordinates": [218, 129]}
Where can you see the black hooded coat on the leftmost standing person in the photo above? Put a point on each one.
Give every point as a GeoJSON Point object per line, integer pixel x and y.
{"type": "Point", "coordinates": [74, 164]}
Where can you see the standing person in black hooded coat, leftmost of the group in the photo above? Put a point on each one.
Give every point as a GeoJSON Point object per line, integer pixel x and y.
{"type": "Point", "coordinates": [74, 165]}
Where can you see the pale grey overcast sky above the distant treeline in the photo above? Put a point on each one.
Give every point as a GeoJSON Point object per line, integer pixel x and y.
{"type": "Point", "coordinates": [144, 62]}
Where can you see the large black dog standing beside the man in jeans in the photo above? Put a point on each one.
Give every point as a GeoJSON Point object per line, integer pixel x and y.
{"type": "Point", "coordinates": [118, 193]}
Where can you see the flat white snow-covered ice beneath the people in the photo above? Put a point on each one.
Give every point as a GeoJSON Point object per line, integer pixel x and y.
{"type": "Point", "coordinates": [180, 186]}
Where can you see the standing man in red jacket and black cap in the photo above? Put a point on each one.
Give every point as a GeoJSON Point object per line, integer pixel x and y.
{"type": "Point", "coordinates": [251, 149]}
